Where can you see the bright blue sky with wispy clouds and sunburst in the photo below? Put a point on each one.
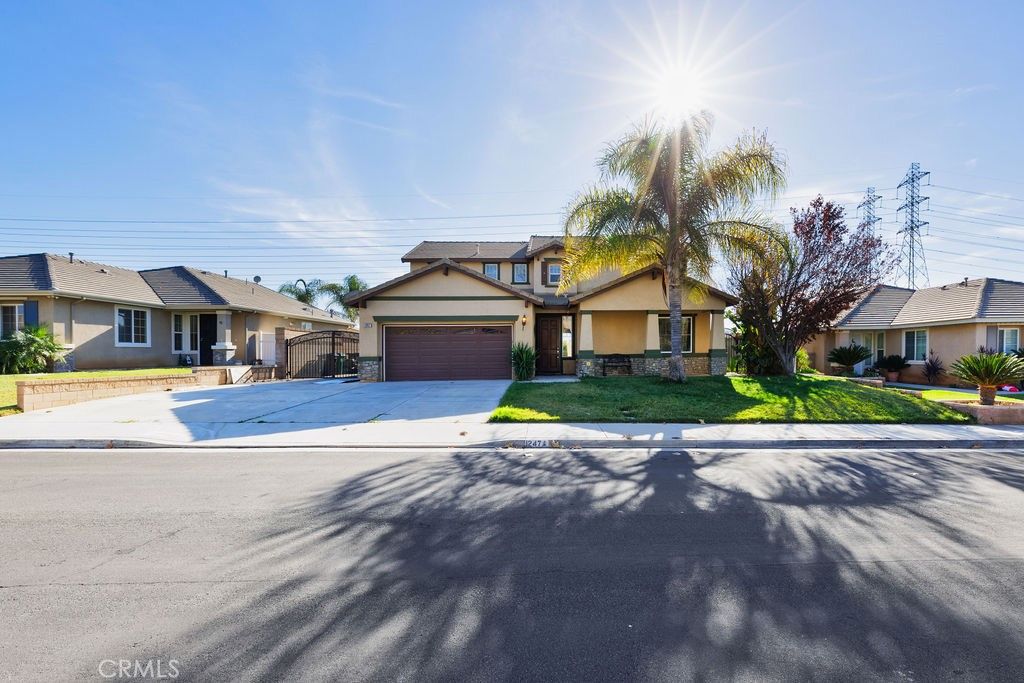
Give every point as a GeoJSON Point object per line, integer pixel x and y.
{"type": "Point", "coordinates": [474, 120]}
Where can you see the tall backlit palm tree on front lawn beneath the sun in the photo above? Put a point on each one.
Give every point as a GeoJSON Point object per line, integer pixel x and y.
{"type": "Point", "coordinates": [676, 206]}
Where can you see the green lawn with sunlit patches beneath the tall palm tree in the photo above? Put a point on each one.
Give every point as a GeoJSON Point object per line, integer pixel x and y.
{"type": "Point", "coordinates": [800, 399]}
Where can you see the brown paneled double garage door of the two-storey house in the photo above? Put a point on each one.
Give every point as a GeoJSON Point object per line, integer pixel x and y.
{"type": "Point", "coordinates": [464, 353]}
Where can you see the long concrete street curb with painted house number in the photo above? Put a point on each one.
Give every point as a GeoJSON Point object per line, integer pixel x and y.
{"type": "Point", "coordinates": [709, 445]}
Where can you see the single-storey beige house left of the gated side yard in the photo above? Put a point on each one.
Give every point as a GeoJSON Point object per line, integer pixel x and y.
{"type": "Point", "coordinates": [118, 318]}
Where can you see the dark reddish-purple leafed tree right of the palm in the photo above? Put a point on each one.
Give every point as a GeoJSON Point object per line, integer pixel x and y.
{"type": "Point", "coordinates": [806, 280]}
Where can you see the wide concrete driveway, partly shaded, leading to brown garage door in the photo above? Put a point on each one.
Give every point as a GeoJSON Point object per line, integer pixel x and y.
{"type": "Point", "coordinates": [283, 404]}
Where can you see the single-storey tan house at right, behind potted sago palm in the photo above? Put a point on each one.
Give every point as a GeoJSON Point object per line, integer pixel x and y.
{"type": "Point", "coordinates": [953, 321]}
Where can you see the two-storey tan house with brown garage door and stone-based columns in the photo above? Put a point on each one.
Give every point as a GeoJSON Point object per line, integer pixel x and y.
{"type": "Point", "coordinates": [463, 305]}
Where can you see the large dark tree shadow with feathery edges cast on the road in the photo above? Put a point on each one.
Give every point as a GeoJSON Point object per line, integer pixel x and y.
{"type": "Point", "coordinates": [671, 566]}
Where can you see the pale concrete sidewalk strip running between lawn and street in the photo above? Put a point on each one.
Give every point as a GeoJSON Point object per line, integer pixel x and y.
{"type": "Point", "coordinates": [445, 435]}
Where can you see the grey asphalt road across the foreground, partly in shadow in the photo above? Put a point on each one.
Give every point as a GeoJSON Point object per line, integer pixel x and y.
{"type": "Point", "coordinates": [513, 566]}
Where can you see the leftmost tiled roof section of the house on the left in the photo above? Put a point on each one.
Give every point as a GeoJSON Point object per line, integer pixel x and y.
{"type": "Point", "coordinates": [61, 275]}
